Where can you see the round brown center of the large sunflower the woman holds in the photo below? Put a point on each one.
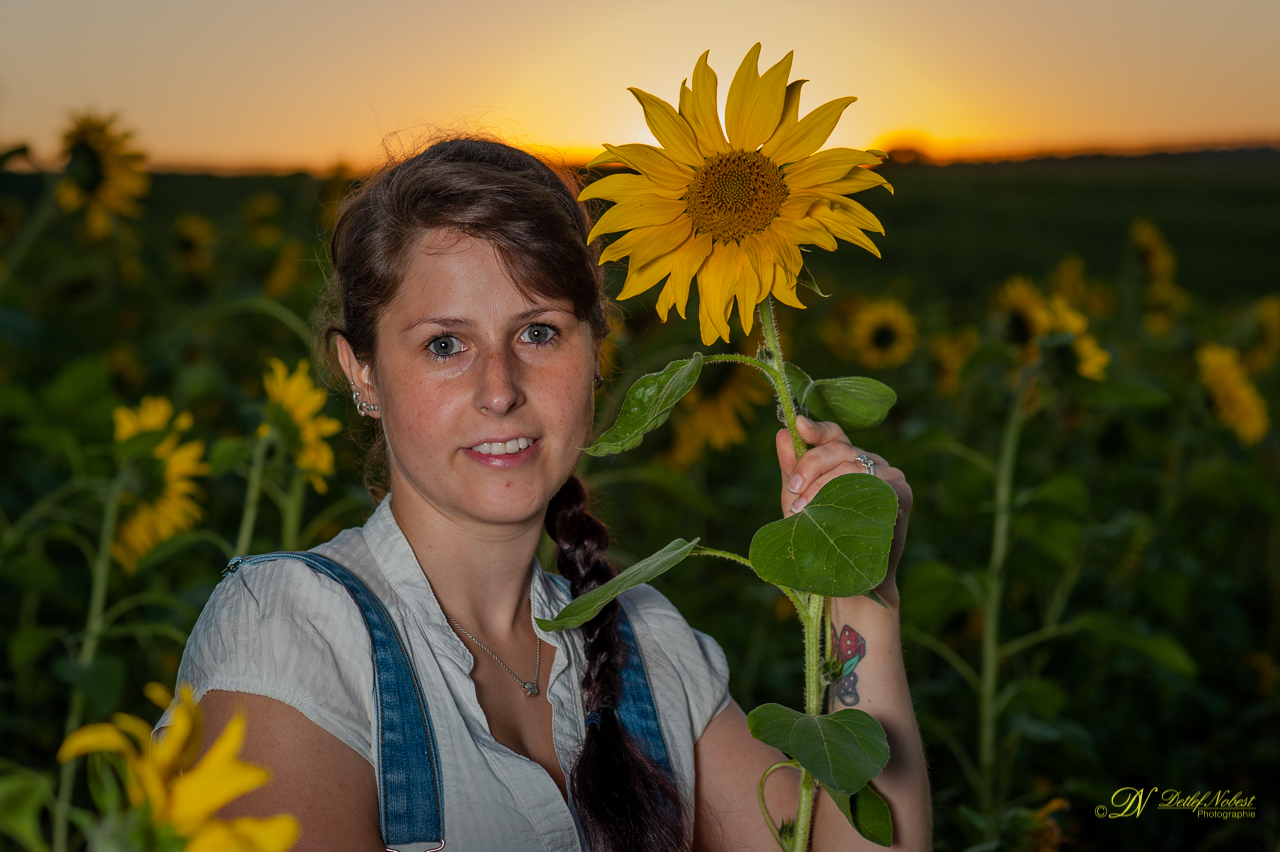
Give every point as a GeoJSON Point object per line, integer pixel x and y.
{"type": "Point", "coordinates": [735, 195]}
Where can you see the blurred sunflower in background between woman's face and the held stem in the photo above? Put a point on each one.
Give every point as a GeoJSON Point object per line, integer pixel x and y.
{"type": "Point", "coordinates": [716, 419]}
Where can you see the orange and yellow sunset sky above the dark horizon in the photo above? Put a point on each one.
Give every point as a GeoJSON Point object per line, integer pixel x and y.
{"type": "Point", "coordinates": [246, 84]}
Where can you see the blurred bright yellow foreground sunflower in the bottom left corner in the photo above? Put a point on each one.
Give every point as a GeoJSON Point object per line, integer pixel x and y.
{"type": "Point", "coordinates": [182, 794]}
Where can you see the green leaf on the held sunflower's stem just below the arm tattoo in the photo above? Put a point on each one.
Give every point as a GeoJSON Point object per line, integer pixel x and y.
{"type": "Point", "coordinates": [843, 750]}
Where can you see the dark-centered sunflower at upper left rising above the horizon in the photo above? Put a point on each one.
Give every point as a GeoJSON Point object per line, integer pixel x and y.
{"type": "Point", "coordinates": [104, 176]}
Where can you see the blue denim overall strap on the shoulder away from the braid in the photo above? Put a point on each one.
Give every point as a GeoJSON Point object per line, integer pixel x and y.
{"type": "Point", "coordinates": [410, 798]}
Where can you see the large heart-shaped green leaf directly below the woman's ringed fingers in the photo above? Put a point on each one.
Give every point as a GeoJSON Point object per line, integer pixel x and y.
{"type": "Point", "coordinates": [838, 546]}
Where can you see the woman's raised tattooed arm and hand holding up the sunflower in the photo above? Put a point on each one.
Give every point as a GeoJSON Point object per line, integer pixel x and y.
{"type": "Point", "coordinates": [730, 762]}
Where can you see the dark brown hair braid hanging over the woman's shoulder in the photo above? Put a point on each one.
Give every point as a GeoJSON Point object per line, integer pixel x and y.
{"type": "Point", "coordinates": [630, 803]}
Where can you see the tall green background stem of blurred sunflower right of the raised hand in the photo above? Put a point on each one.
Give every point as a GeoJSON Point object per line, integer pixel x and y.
{"type": "Point", "coordinates": [988, 711]}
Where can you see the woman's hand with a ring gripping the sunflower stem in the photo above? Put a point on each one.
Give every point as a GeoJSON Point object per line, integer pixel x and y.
{"type": "Point", "coordinates": [831, 456]}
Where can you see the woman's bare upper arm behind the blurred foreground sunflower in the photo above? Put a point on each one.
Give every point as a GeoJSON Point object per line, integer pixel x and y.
{"type": "Point", "coordinates": [322, 781]}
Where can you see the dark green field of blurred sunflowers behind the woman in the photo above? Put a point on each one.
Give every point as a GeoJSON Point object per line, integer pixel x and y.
{"type": "Point", "coordinates": [1085, 354]}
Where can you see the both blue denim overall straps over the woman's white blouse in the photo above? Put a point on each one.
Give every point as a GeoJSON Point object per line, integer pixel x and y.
{"type": "Point", "coordinates": [410, 799]}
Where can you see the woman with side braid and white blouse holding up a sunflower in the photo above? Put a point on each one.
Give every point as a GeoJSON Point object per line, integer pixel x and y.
{"type": "Point", "coordinates": [469, 324]}
